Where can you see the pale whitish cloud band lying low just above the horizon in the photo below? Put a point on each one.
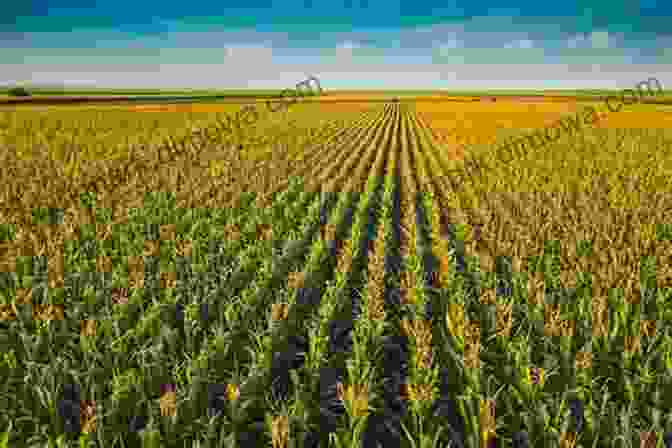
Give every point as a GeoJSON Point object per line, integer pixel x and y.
{"type": "Point", "coordinates": [349, 74]}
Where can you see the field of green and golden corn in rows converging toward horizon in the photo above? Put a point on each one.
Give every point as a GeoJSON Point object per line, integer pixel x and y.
{"type": "Point", "coordinates": [343, 285]}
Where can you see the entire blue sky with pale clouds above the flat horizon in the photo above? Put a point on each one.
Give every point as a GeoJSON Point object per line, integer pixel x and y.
{"type": "Point", "coordinates": [347, 44]}
